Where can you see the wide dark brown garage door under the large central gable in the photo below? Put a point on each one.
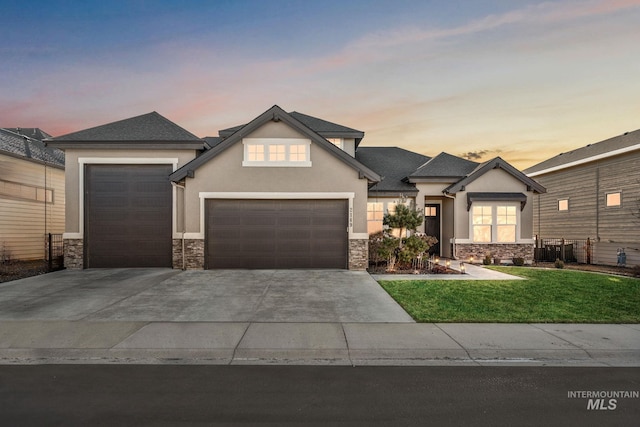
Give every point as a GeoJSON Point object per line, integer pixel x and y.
{"type": "Point", "coordinates": [265, 234]}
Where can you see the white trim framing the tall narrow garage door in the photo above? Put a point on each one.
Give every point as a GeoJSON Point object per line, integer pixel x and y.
{"type": "Point", "coordinates": [83, 161]}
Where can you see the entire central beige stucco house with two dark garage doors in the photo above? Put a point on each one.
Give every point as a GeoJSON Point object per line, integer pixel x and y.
{"type": "Point", "coordinates": [285, 190]}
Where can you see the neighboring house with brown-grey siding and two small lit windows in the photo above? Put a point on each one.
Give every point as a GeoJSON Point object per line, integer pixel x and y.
{"type": "Point", "coordinates": [593, 192]}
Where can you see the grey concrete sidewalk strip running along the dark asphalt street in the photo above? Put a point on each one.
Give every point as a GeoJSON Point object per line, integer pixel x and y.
{"type": "Point", "coordinates": [85, 342]}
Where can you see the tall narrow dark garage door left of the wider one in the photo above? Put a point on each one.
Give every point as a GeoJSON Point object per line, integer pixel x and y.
{"type": "Point", "coordinates": [128, 216]}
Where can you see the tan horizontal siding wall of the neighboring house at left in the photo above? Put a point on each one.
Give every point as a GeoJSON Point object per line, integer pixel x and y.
{"type": "Point", "coordinates": [24, 221]}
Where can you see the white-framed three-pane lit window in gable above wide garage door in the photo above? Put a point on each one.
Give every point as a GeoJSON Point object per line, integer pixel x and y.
{"type": "Point", "coordinates": [277, 152]}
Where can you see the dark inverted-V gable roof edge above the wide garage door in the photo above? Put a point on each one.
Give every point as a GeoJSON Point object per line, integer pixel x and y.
{"type": "Point", "coordinates": [276, 114]}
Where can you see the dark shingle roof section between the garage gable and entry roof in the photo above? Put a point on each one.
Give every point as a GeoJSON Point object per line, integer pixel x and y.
{"type": "Point", "coordinates": [393, 164]}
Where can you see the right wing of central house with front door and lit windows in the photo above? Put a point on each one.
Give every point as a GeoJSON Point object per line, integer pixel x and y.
{"type": "Point", "coordinates": [474, 209]}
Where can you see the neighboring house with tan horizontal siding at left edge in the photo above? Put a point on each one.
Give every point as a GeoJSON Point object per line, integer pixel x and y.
{"type": "Point", "coordinates": [32, 195]}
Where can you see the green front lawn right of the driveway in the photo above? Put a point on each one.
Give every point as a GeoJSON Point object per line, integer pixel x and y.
{"type": "Point", "coordinates": [555, 296]}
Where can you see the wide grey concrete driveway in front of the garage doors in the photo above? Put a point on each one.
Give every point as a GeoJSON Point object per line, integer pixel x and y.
{"type": "Point", "coordinates": [165, 295]}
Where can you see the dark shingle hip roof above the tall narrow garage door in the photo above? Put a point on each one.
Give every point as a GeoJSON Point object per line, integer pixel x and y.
{"type": "Point", "coordinates": [146, 127]}
